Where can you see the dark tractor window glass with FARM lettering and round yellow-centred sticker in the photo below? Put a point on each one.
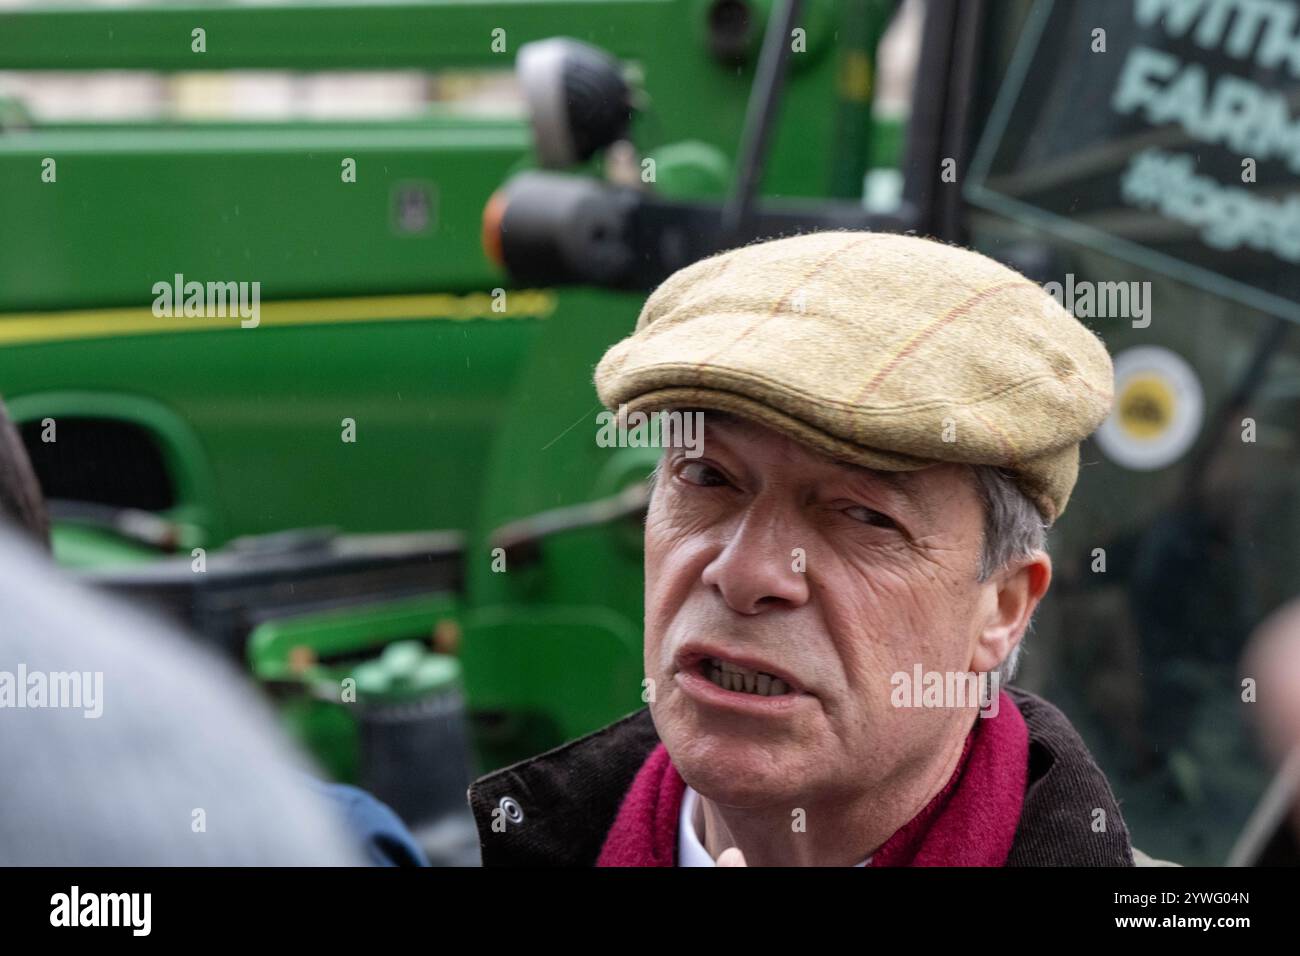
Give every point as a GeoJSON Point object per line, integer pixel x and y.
{"type": "Point", "coordinates": [1136, 159]}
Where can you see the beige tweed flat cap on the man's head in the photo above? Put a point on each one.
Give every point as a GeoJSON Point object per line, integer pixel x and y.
{"type": "Point", "coordinates": [890, 352]}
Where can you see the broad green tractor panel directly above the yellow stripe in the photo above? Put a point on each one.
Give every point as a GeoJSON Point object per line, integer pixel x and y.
{"type": "Point", "coordinates": [135, 207]}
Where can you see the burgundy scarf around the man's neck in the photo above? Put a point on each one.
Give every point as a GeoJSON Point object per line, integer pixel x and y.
{"type": "Point", "coordinates": [970, 823]}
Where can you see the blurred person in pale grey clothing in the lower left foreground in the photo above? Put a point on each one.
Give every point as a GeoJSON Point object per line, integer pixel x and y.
{"type": "Point", "coordinates": [127, 745]}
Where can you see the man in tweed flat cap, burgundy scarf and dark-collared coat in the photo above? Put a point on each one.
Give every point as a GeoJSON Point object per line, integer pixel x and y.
{"type": "Point", "coordinates": [890, 426]}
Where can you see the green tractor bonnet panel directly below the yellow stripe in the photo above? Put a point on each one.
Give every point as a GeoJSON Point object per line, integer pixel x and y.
{"type": "Point", "coordinates": [267, 408]}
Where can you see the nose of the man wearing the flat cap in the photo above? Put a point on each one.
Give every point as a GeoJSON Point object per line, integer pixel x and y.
{"type": "Point", "coordinates": [756, 569]}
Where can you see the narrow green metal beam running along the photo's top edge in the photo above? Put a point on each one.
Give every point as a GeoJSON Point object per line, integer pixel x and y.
{"type": "Point", "coordinates": [319, 36]}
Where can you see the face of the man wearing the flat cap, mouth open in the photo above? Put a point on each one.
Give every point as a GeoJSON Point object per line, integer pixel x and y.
{"type": "Point", "coordinates": [889, 581]}
